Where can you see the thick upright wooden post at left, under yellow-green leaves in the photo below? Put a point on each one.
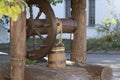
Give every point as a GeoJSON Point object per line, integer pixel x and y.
{"type": "Point", "coordinates": [18, 47]}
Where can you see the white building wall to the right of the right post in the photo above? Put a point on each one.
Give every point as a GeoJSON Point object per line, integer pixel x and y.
{"type": "Point", "coordinates": [101, 11]}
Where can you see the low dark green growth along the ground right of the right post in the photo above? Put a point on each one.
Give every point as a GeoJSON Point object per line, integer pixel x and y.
{"type": "Point", "coordinates": [102, 44]}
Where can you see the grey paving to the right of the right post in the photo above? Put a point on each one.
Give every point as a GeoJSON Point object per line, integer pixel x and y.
{"type": "Point", "coordinates": [111, 60]}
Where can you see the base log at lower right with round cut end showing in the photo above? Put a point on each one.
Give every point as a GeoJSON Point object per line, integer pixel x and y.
{"type": "Point", "coordinates": [98, 72]}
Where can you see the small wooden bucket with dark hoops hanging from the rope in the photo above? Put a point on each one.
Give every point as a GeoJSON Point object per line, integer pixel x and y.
{"type": "Point", "coordinates": [57, 58]}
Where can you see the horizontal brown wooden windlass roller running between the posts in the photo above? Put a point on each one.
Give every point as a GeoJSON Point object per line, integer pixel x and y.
{"type": "Point", "coordinates": [68, 25]}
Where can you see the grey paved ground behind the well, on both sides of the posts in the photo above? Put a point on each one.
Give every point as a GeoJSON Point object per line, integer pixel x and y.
{"type": "Point", "coordinates": [111, 60]}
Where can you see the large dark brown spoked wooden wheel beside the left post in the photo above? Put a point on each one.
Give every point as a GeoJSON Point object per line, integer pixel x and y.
{"type": "Point", "coordinates": [48, 40]}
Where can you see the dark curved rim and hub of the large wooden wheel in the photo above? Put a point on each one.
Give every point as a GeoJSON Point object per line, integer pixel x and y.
{"type": "Point", "coordinates": [48, 41]}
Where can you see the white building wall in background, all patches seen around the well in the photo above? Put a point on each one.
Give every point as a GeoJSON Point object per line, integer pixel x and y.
{"type": "Point", "coordinates": [101, 12]}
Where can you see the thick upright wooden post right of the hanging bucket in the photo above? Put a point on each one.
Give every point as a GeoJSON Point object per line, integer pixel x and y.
{"type": "Point", "coordinates": [78, 52]}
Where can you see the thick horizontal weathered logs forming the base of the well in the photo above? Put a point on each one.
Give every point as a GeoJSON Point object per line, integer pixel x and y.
{"type": "Point", "coordinates": [76, 72]}
